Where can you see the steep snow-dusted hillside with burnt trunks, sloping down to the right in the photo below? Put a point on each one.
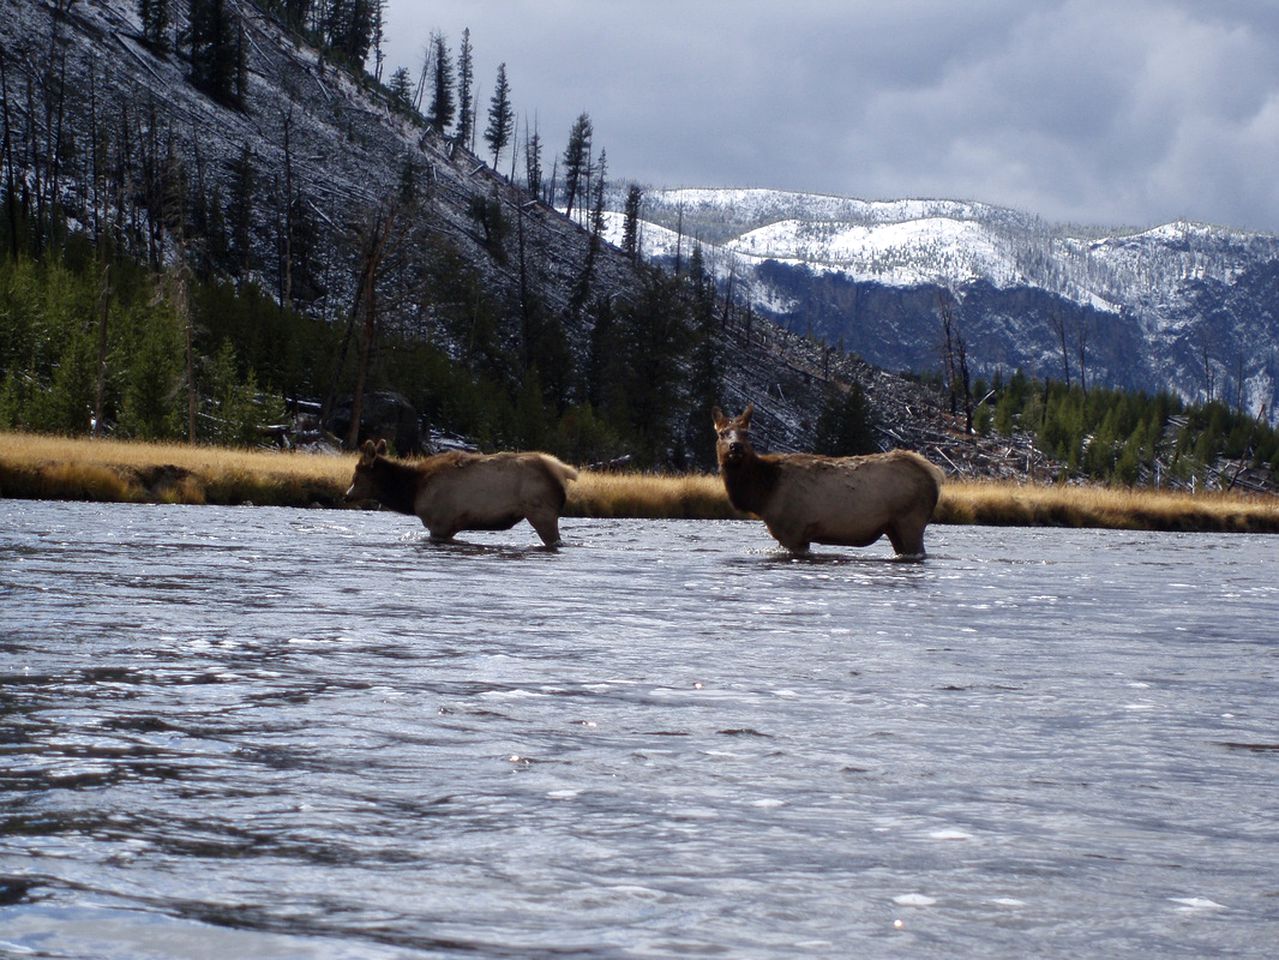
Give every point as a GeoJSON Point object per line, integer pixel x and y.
{"type": "Point", "coordinates": [478, 269]}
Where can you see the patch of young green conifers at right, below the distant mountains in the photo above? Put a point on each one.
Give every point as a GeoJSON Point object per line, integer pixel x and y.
{"type": "Point", "coordinates": [1116, 437]}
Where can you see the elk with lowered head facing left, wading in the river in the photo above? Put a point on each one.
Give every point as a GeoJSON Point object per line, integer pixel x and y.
{"type": "Point", "coordinates": [461, 492]}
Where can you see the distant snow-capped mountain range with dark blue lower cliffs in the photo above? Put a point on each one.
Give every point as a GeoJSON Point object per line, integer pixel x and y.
{"type": "Point", "coordinates": [1182, 307]}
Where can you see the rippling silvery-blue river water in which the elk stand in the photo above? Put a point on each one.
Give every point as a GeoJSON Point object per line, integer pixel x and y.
{"type": "Point", "coordinates": [267, 733]}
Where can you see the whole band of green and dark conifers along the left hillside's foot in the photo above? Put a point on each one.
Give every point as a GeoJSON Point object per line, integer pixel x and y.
{"type": "Point", "coordinates": [100, 346]}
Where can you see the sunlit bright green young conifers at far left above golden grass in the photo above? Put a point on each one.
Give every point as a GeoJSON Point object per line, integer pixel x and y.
{"type": "Point", "coordinates": [93, 346]}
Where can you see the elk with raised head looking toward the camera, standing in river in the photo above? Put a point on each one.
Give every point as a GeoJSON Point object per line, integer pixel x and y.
{"type": "Point", "coordinates": [847, 502]}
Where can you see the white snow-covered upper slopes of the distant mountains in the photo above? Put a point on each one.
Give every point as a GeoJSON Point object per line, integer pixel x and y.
{"type": "Point", "coordinates": [913, 242]}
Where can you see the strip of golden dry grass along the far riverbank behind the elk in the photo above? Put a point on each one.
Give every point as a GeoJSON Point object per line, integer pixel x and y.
{"type": "Point", "coordinates": [109, 471]}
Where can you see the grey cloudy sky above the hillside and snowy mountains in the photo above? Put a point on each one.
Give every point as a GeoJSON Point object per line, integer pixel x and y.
{"type": "Point", "coordinates": [1097, 112]}
